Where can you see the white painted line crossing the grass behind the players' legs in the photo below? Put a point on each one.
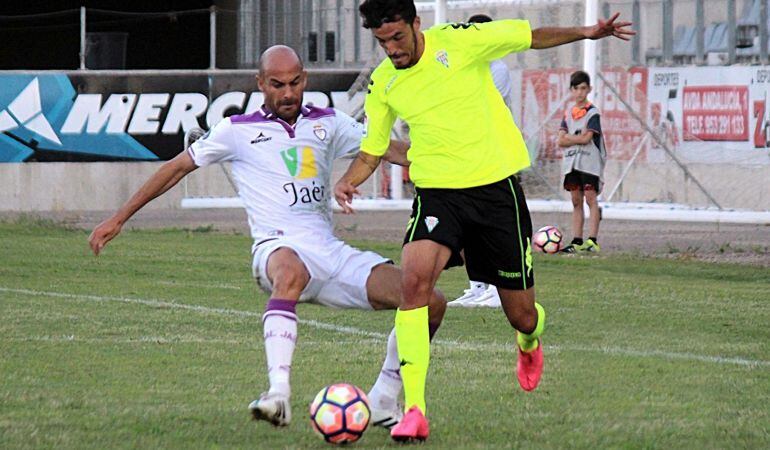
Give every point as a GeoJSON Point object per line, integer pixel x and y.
{"type": "Point", "coordinates": [375, 335]}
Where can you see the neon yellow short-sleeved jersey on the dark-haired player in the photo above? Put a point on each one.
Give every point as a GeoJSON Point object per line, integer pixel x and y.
{"type": "Point", "coordinates": [462, 133]}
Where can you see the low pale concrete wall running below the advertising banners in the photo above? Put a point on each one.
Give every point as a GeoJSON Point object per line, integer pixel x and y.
{"type": "Point", "coordinates": [32, 187]}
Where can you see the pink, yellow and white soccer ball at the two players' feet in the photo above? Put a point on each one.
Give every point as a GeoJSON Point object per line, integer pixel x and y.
{"type": "Point", "coordinates": [340, 413]}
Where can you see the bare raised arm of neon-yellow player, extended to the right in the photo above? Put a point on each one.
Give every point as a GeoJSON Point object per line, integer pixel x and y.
{"type": "Point", "coordinates": [547, 37]}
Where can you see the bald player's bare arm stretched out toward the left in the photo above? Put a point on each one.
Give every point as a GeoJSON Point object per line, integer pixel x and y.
{"type": "Point", "coordinates": [164, 179]}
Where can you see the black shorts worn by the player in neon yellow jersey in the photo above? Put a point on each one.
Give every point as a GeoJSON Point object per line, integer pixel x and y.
{"type": "Point", "coordinates": [490, 223]}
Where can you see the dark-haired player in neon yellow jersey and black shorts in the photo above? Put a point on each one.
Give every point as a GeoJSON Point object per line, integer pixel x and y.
{"type": "Point", "coordinates": [464, 155]}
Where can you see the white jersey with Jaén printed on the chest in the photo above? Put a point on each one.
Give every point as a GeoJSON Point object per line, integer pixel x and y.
{"type": "Point", "coordinates": [282, 172]}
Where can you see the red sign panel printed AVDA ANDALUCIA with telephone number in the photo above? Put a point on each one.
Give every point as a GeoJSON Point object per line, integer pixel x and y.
{"type": "Point", "coordinates": [715, 113]}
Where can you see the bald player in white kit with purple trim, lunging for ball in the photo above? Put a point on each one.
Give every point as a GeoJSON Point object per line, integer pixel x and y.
{"type": "Point", "coordinates": [281, 159]}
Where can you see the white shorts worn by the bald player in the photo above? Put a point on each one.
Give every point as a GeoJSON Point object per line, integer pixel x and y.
{"type": "Point", "coordinates": [338, 272]}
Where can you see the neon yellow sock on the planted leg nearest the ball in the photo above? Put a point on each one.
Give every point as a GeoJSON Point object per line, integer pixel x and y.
{"type": "Point", "coordinates": [414, 353]}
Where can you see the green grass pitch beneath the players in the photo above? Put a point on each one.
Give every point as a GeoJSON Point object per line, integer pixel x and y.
{"type": "Point", "coordinates": [640, 353]}
